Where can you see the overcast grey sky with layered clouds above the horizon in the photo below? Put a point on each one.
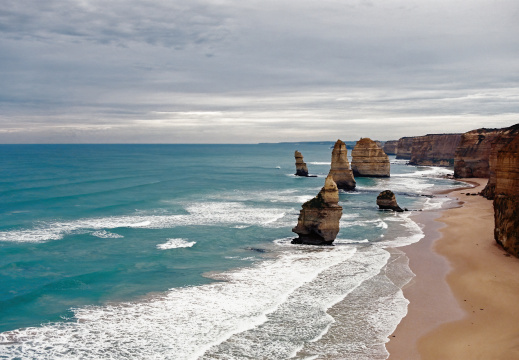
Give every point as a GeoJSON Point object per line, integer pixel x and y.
{"type": "Point", "coordinates": [248, 71]}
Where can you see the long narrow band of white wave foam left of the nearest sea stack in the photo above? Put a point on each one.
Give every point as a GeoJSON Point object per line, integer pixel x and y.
{"type": "Point", "coordinates": [211, 213]}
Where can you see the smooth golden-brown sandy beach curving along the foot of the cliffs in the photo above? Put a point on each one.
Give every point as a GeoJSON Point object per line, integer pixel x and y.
{"type": "Point", "coordinates": [463, 298]}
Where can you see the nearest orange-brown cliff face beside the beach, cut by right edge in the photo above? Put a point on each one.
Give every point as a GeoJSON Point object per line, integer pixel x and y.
{"type": "Point", "coordinates": [506, 202]}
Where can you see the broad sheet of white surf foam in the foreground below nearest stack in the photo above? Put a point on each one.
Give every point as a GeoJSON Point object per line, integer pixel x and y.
{"type": "Point", "coordinates": [185, 323]}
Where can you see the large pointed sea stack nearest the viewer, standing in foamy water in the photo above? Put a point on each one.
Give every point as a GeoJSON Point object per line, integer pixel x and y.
{"type": "Point", "coordinates": [318, 222]}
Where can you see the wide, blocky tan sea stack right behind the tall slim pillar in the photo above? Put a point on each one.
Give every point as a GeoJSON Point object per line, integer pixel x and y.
{"type": "Point", "coordinates": [368, 159]}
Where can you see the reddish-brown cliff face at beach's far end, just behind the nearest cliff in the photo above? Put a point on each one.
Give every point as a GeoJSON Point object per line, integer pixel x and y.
{"type": "Point", "coordinates": [473, 153]}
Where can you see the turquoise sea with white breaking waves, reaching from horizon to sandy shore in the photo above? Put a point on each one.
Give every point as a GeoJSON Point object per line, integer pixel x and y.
{"type": "Point", "coordinates": [183, 252]}
